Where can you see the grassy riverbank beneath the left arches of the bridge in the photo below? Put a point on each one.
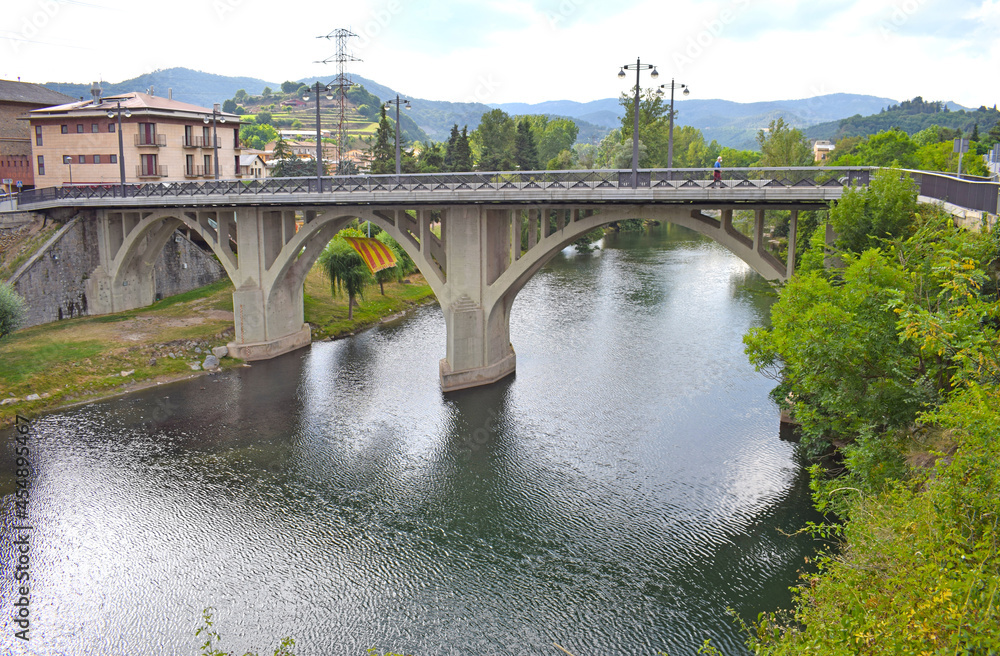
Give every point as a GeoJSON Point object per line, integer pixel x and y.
{"type": "Point", "coordinates": [55, 365]}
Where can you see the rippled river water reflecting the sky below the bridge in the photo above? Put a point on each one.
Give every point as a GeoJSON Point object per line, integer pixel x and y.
{"type": "Point", "coordinates": [615, 496]}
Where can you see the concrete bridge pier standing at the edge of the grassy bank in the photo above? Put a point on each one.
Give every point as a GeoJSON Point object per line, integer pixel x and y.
{"type": "Point", "coordinates": [267, 307]}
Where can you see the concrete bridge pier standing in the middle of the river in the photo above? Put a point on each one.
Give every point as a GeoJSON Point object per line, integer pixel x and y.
{"type": "Point", "coordinates": [478, 251]}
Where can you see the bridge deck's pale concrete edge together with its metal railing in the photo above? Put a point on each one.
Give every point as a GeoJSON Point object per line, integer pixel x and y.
{"type": "Point", "coordinates": [795, 184]}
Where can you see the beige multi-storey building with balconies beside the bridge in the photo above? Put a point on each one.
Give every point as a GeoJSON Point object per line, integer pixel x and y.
{"type": "Point", "coordinates": [161, 140]}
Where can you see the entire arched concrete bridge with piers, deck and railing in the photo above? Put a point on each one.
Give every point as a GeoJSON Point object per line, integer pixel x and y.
{"type": "Point", "coordinates": [268, 233]}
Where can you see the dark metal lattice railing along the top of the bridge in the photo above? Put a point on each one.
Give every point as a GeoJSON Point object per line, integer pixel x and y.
{"type": "Point", "coordinates": [485, 183]}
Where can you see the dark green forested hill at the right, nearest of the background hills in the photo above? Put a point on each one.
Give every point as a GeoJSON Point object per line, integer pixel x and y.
{"type": "Point", "coordinates": [910, 116]}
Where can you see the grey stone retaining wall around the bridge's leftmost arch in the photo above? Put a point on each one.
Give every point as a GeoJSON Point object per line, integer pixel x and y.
{"type": "Point", "coordinates": [54, 285]}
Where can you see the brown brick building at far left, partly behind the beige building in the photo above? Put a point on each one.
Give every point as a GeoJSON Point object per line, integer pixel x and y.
{"type": "Point", "coordinates": [16, 100]}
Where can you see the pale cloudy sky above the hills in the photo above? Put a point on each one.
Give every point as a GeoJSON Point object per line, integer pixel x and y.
{"type": "Point", "coordinates": [498, 51]}
